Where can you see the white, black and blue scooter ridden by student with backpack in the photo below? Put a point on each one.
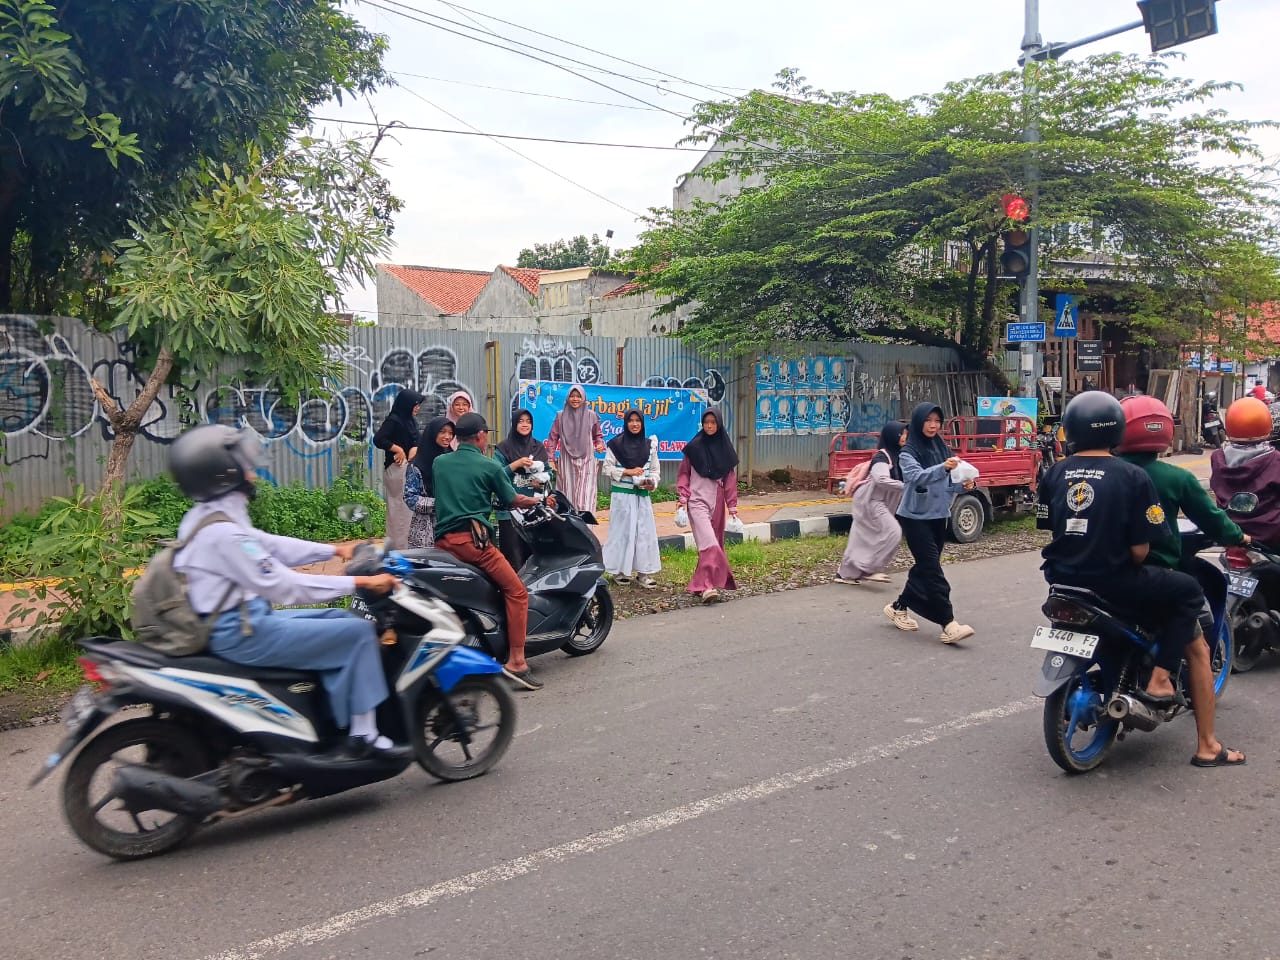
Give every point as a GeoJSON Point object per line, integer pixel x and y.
{"type": "Point", "coordinates": [221, 740]}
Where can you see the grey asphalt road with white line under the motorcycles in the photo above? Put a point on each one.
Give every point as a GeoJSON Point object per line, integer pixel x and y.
{"type": "Point", "coordinates": [774, 778]}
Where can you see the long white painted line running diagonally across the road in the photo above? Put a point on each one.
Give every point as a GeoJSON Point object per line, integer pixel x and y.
{"type": "Point", "coordinates": [342, 925]}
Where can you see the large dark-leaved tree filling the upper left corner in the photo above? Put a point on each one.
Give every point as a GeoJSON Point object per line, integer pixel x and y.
{"type": "Point", "coordinates": [109, 109]}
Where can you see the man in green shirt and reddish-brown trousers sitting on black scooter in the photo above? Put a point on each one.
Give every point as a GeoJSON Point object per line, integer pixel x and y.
{"type": "Point", "coordinates": [468, 484]}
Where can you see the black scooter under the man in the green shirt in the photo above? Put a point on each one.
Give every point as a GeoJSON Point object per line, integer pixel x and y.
{"type": "Point", "coordinates": [570, 607]}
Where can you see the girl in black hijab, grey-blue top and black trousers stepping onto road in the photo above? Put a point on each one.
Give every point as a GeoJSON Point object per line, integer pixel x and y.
{"type": "Point", "coordinates": [925, 515]}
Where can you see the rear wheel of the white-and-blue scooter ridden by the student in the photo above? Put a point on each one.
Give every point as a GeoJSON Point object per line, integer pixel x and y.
{"type": "Point", "coordinates": [161, 746]}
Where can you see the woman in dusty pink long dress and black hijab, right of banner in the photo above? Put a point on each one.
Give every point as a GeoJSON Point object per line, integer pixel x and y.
{"type": "Point", "coordinates": [707, 486]}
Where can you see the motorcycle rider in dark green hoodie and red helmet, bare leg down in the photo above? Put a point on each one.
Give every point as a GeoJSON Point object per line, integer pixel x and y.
{"type": "Point", "coordinates": [1149, 432]}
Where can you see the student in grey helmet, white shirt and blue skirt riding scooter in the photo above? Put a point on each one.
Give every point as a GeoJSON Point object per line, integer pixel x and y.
{"type": "Point", "coordinates": [235, 573]}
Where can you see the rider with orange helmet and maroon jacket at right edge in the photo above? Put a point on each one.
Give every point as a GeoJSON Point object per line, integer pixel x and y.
{"type": "Point", "coordinates": [1245, 473]}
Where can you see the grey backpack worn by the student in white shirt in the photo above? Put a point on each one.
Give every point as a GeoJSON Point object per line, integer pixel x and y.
{"type": "Point", "coordinates": [163, 618]}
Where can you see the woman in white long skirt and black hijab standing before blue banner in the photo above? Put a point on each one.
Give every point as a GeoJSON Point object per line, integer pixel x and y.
{"type": "Point", "coordinates": [633, 469]}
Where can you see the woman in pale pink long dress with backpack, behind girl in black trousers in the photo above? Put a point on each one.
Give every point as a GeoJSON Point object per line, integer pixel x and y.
{"type": "Point", "coordinates": [875, 534]}
